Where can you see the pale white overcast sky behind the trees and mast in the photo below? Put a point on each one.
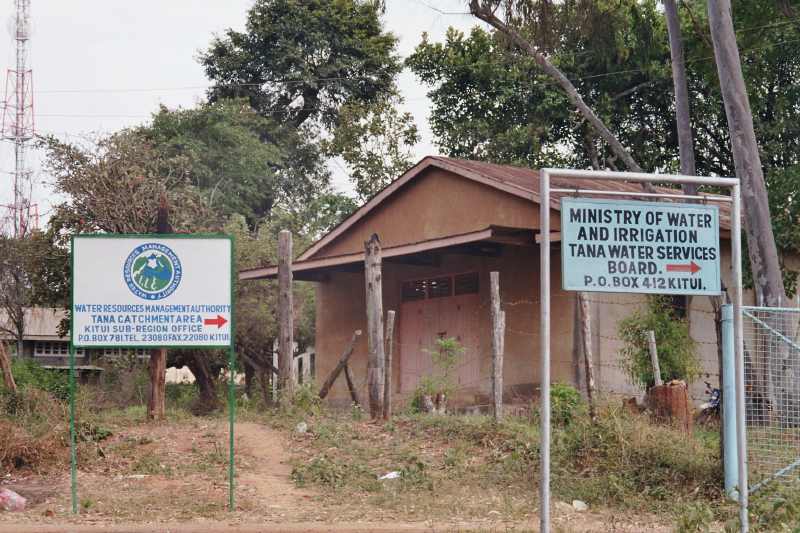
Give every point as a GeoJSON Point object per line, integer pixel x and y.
{"type": "Point", "coordinates": [101, 65]}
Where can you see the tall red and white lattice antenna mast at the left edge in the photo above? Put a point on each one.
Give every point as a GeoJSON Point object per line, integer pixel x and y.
{"type": "Point", "coordinates": [18, 125]}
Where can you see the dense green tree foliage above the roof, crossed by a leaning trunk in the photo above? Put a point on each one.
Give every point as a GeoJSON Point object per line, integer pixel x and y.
{"type": "Point", "coordinates": [492, 100]}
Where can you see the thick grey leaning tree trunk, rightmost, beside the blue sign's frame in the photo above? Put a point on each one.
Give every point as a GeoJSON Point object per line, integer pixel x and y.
{"type": "Point", "coordinates": [758, 228]}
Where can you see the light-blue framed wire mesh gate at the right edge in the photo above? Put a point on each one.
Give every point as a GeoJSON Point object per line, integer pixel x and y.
{"type": "Point", "coordinates": [772, 400]}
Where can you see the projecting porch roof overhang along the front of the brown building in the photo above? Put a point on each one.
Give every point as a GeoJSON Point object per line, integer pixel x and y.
{"type": "Point", "coordinates": [493, 234]}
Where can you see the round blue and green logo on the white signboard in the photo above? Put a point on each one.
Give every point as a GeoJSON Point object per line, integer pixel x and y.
{"type": "Point", "coordinates": [152, 271]}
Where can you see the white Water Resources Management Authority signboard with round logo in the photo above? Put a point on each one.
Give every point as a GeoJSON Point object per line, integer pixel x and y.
{"type": "Point", "coordinates": [152, 291]}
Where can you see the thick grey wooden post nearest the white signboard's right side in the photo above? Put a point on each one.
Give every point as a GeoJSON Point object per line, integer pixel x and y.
{"type": "Point", "coordinates": [285, 318]}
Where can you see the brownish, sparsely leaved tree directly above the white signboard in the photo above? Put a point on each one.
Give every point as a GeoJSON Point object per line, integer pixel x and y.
{"type": "Point", "coordinates": [114, 184]}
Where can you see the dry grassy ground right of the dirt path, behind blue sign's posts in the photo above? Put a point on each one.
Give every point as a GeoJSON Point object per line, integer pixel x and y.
{"type": "Point", "coordinates": [459, 465]}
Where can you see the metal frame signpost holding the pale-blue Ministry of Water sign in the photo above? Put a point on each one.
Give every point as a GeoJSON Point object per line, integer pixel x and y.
{"type": "Point", "coordinates": [643, 247]}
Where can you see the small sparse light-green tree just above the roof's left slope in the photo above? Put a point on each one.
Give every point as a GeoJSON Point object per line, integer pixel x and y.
{"type": "Point", "coordinates": [375, 141]}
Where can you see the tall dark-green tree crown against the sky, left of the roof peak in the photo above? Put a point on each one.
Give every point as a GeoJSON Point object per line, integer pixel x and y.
{"type": "Point", "coordinates": [299, 61]}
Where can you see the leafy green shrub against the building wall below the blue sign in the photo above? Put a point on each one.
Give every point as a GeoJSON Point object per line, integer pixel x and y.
{"type": "Point", "coordinates": [677, 355]}
